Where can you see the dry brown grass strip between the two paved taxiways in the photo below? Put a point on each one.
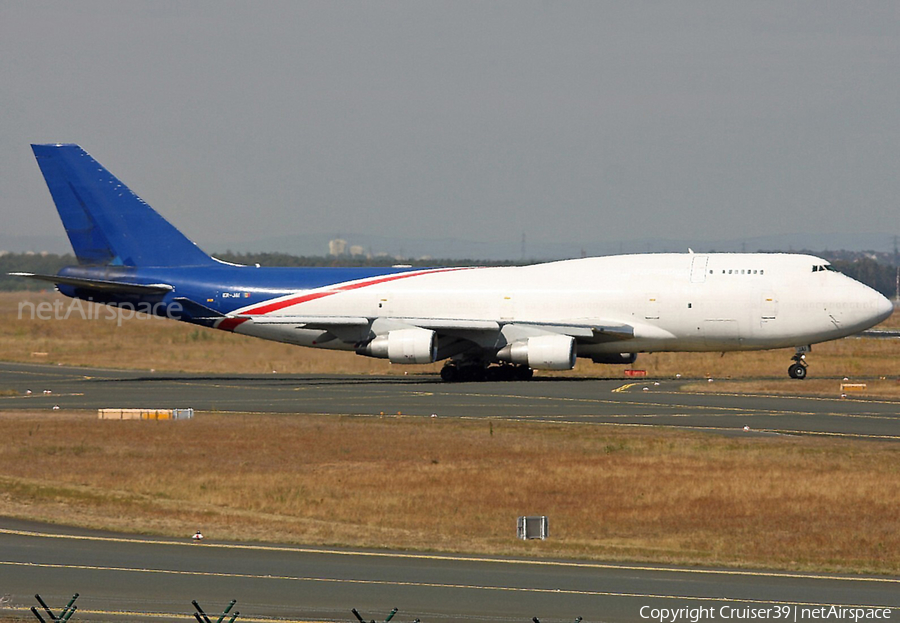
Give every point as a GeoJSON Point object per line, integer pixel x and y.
{"type": "Point", "coordinates": [450, 485]}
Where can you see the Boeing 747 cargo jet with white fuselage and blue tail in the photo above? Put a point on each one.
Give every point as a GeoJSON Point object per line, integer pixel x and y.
{"type": "Point", "coordinates": [499, 323]}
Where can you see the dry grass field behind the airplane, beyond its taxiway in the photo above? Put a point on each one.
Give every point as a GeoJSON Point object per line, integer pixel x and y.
{"type": "Point", "coordinates": [168, 345]}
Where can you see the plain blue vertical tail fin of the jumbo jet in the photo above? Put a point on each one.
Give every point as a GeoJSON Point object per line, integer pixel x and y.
{"type": "Point", "coordinates": [105, 221]}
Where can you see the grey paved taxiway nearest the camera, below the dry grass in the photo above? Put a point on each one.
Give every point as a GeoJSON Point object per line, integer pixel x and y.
{"type": "Point", "coordinates": [116, 574]}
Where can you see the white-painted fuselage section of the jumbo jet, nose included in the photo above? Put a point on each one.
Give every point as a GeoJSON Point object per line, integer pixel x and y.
{"type": "Point", "coordinates": [673, 302]}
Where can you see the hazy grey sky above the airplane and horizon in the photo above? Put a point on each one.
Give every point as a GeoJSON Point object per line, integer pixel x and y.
{"type": "Point", "coordinates": [479, 120]}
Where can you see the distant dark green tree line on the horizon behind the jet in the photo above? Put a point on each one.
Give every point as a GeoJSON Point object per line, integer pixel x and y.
{"type": "Point", "coordinates": [880, 275]}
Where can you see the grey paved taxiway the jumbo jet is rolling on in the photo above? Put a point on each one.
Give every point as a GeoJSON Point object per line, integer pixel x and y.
{"type": "Point", "coordinates": [647, 403]}
